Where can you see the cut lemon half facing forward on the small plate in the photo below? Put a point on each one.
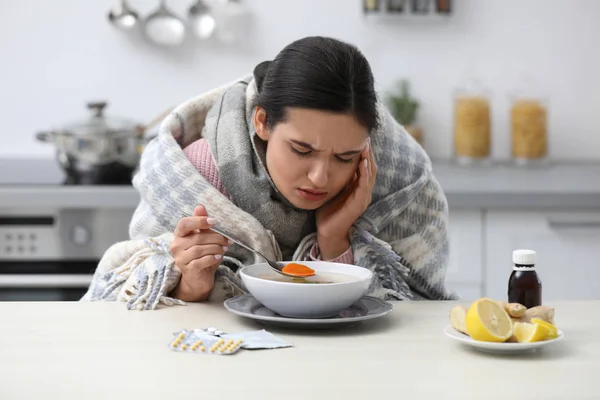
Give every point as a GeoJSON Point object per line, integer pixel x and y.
{"type": "Point", "coordinates": [488, 322]}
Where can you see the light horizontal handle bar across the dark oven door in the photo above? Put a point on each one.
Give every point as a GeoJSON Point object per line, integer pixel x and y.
{"type": "Point", "coordinates": [45, 281]}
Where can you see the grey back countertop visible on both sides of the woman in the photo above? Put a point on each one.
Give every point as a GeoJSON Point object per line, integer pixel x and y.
{"type": "Point", "coordinates": [34, 183]}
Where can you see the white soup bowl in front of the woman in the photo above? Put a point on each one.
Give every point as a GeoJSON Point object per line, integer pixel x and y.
{"type": "Point", "coordinates": [301, 300]}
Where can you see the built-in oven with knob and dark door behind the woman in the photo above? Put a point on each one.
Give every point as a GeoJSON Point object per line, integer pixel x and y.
{"type": "Point", "coordinates": [51, 254]}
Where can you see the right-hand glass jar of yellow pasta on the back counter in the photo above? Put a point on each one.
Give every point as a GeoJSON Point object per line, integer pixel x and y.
{"type": "Point", "coordinates": [529, 124]}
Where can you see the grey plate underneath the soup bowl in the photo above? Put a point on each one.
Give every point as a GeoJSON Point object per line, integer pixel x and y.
{"type": "Point", "coordinates": [364, 309]}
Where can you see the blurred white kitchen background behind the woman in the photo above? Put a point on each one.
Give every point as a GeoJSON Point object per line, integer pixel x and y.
{"type": "Point", "coordinates": [502, 94]}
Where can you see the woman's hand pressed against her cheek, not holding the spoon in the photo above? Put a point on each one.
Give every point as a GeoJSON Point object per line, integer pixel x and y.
{"type": "Point", "coordinates": [335, 218]}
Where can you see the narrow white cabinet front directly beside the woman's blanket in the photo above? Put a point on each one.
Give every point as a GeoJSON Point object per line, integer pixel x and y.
{"type": "Point", "coordinates": [465, 266]}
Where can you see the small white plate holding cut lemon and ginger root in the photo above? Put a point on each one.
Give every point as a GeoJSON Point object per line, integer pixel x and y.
{"type": "Point", "coordinates": [498, 327]}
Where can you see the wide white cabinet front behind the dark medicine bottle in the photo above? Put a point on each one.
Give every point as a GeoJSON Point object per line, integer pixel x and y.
{"type": "Point", "coordinates": [567, 245]}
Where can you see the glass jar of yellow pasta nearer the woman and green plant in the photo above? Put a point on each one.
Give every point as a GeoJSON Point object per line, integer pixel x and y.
{"type": "Point", "coordinates": [472, 123]}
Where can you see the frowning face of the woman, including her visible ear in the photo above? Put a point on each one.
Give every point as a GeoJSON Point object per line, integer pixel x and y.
{"type": "Point", "coordinates": [313, 155]}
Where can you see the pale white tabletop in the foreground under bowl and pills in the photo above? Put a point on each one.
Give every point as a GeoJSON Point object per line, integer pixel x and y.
{"type": "Point", "coordinates": [101, 350]}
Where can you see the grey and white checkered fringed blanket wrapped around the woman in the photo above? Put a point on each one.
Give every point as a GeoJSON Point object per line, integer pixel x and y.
{"type": "Point", "coordinates": [402, 237]}
